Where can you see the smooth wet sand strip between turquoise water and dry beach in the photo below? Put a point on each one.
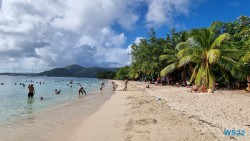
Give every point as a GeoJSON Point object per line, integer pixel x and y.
{"type": "Point", "coordinates": [56, 123]}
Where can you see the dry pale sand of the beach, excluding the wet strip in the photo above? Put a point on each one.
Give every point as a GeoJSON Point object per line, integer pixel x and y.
{"type": "Point", "coordinates": [138, 114]}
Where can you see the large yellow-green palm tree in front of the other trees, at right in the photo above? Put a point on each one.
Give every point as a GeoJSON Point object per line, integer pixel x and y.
{"type": "Point", "coordinates": [206, 51]}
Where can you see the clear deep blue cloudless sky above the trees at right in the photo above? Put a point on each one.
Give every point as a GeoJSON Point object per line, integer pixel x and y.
{"type": "Point", "coordinates": [201, 15]}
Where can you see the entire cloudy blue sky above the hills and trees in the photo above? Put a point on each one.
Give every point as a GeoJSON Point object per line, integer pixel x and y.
{"type": "Point", "coordinates": [45, 34]}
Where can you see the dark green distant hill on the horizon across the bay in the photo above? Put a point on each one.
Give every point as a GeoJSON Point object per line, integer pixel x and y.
{"type": "Point", "coordinates": [75, 71]}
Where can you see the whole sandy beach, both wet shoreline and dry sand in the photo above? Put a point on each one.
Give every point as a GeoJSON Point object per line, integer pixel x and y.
{"type": "Point", "coordinates": [139, 114]}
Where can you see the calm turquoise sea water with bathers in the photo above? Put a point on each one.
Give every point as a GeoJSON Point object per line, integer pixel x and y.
{"type": "Point", "coordinates": [14, 103]}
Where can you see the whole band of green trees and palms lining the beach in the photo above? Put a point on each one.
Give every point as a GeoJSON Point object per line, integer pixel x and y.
{"type": "Point", "coordinates": [204, 56]}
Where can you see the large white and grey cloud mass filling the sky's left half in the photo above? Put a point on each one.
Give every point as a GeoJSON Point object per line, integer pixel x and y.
{"type": "Point", "coordinates": [59, 33]}
